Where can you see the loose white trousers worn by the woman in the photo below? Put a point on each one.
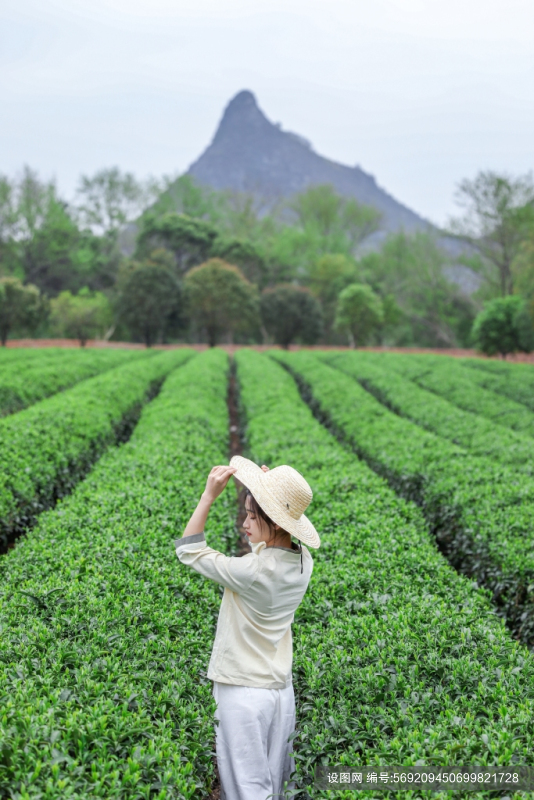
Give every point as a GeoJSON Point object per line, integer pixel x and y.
{"type": "Point", "coordinates": [251, 740]}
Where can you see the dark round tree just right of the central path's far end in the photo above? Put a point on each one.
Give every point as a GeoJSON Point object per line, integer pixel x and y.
{"type": "Point", "coordinates": [291, 313]}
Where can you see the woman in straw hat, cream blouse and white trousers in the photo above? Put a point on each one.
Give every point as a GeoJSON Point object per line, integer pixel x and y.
{"type": "Point", "coordinates": [252, 654]}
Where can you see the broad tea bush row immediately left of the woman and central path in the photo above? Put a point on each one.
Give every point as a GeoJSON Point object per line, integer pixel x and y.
{"type": "Point", "coordinates": [105, 636]}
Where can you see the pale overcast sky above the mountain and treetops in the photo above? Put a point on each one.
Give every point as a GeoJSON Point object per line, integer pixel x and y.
{"type": "Point", "coordinates": [420, 93]}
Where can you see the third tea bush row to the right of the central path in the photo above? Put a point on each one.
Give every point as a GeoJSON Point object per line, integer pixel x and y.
{"type": "Point", "coordinates": [477, 434]}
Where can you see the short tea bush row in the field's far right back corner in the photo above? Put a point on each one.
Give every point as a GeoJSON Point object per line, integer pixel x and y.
{"type": "Point", "coordinates": [515, 381]}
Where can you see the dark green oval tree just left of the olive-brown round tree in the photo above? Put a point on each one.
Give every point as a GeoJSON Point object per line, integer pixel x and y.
{"type": "Point", "coordinates": [150, 298]}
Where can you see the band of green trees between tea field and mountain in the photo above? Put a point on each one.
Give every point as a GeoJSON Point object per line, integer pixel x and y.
{"type": "Point", "coordinates": [168, 261]}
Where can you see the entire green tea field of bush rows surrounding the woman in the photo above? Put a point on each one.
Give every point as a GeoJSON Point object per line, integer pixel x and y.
{"type": "Point", "coordinates": [413, 644]}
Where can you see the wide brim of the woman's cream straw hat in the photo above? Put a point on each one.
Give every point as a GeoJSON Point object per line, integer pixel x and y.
{"type": "Point", "coordinates": [250, 475]}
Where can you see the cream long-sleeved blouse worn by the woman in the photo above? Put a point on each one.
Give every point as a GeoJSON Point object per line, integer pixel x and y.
{"type": "Point", "coordinates": [253, 644]}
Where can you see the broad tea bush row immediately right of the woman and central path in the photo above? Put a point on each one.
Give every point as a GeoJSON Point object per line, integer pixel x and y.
{"type": "Point", "coordinates": [397, 658]}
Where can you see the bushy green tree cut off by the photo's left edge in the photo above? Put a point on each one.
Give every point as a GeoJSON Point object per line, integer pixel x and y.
{"type": "Point", "coordinates": [21, 307]}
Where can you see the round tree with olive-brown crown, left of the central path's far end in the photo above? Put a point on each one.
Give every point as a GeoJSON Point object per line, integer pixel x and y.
{"type": "Point", "coordinates": [221, 300]}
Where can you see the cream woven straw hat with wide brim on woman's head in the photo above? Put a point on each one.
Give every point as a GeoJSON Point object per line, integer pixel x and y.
{"type": "Point", "coordinates": [283, 494]}
